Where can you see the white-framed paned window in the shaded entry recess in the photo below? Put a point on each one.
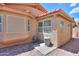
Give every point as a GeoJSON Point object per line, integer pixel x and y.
{"type": "Point", "coordinates": [45, 26]}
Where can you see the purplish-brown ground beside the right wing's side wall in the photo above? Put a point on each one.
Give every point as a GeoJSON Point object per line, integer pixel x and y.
{"type": "Point", "coordinates": [72, 46]}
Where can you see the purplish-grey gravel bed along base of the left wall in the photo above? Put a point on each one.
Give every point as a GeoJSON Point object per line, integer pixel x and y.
{"type": "Point", "coordinates": [17, 49]}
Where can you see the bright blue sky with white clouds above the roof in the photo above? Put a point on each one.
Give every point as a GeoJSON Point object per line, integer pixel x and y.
{"type": "Point", "coordinates": [71, 9]}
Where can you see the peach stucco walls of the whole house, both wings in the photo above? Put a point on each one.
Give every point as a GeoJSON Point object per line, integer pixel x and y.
{"type": "Point", "coordinates": [60, 35]}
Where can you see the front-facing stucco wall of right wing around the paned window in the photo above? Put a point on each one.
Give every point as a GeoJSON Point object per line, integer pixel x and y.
{"type": "Point", "coordinates": [54, 30]}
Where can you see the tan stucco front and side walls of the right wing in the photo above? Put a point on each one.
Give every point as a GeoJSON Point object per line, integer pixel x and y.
{"type": "Point", "coordinates": [60, 35]}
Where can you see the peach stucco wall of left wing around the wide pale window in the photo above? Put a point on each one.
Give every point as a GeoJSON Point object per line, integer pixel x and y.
{"type": "Point", "coordinates": [12, 38]}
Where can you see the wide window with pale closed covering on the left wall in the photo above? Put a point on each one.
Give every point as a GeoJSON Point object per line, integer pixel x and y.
{"type": "Point", "coordinates": [15, 24]}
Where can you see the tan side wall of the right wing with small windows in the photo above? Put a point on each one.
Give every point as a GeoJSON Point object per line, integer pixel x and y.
{"type": "Point", "coordinates": [64, 33]}
